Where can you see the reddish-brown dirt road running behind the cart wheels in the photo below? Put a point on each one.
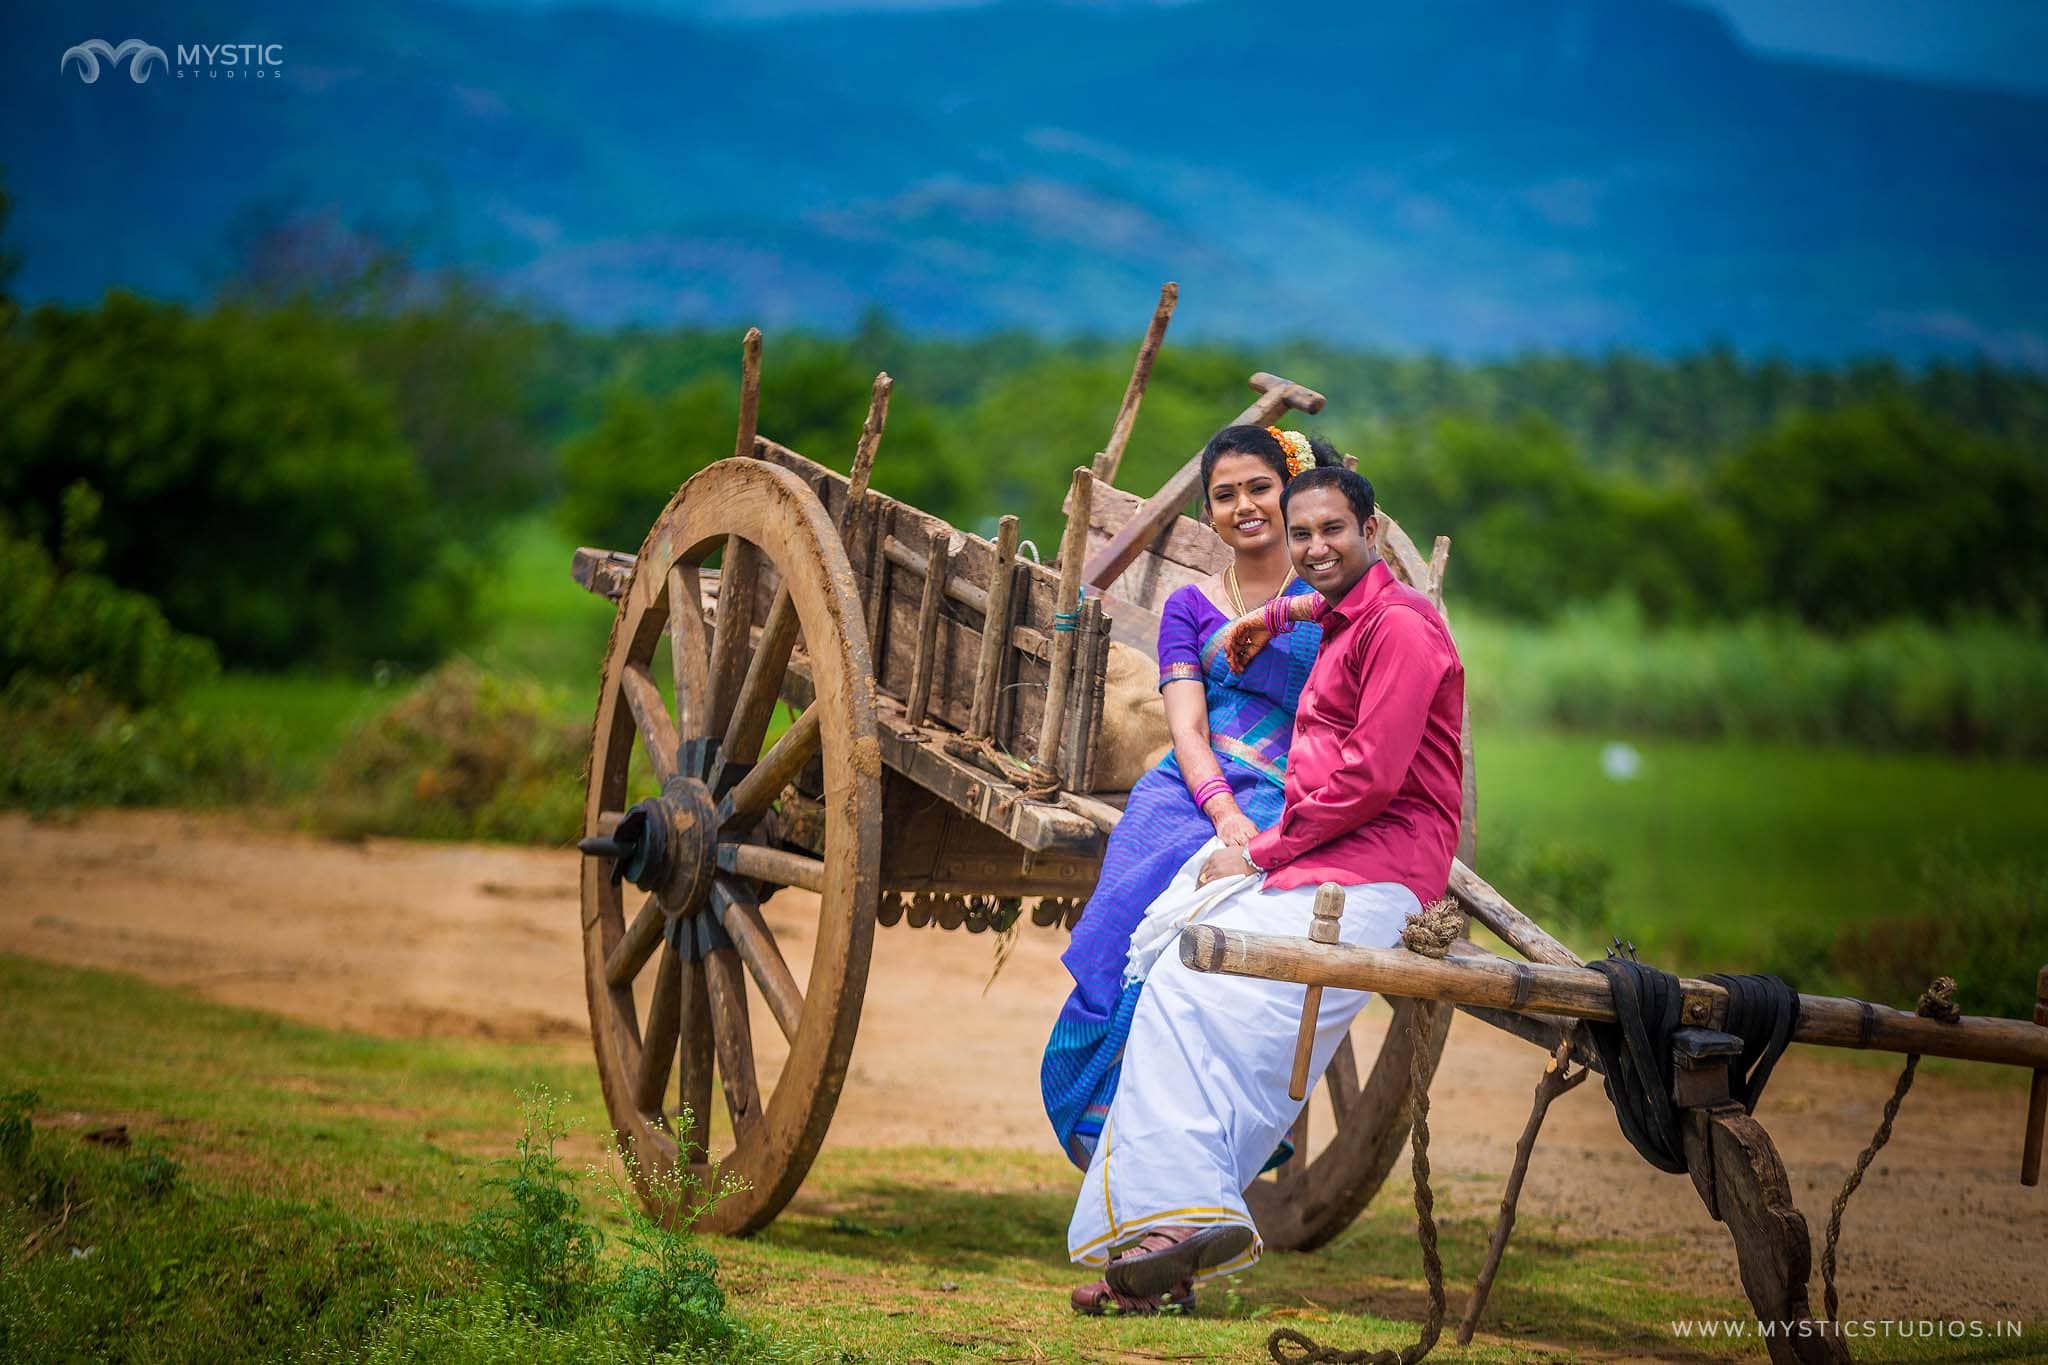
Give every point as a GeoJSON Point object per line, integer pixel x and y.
{"type": "Point", "coordinates": [431, 940]}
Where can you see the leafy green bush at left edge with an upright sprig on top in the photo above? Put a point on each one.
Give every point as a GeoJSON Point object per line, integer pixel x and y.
{"type": "Point", "coordinates": [58, 625]}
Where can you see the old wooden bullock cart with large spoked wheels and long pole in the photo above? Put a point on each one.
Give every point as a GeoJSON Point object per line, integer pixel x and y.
{"type": "Point", "coordinates": [943, 768]}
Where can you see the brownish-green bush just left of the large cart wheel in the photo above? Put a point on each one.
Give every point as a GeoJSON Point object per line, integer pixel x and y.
{"type": "Point", "coordinates": [464, 756]}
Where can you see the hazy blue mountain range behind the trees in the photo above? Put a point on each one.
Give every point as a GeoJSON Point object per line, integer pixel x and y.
{"type": "Point", "coordinates": [1465, 175]}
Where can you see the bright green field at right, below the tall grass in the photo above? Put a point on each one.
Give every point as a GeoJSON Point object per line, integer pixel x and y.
{"type": "Point", "coordinates": [1719, 846]}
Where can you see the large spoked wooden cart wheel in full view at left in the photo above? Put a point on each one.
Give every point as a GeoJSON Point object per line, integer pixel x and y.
{"type": "Point", "coordinates": [673, 885]}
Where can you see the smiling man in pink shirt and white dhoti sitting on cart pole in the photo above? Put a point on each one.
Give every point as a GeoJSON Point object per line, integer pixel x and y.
{"type": "Point", "coordinates": [1373, 795]}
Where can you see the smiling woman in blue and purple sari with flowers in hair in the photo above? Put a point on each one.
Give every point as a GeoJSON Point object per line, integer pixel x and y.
{"type": "Point", "coordinates": [1222, 779]}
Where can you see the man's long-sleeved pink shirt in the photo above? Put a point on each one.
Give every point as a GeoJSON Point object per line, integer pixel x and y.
{"type": "Point", "coordinates": [1375, 779]}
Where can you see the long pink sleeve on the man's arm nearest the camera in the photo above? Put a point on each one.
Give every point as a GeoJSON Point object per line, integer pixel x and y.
{"type": "Point", "coordinates": [1402, 664]}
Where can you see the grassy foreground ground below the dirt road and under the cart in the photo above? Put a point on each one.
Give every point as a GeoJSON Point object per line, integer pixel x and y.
{"type": "Point", "coordinates": [325, 1182]}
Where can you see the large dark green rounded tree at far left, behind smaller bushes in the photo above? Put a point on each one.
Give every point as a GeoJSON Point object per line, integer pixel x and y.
{"type": "Point", "coordinates": [255, 482]}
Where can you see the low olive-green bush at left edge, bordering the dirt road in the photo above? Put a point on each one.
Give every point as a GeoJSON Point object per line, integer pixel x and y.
{"type": "Point", "coordinates": [75, 746]}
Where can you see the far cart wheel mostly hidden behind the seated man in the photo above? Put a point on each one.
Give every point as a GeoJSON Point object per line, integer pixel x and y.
{"type": "Point", "coordinates": [1308, 1202]}
